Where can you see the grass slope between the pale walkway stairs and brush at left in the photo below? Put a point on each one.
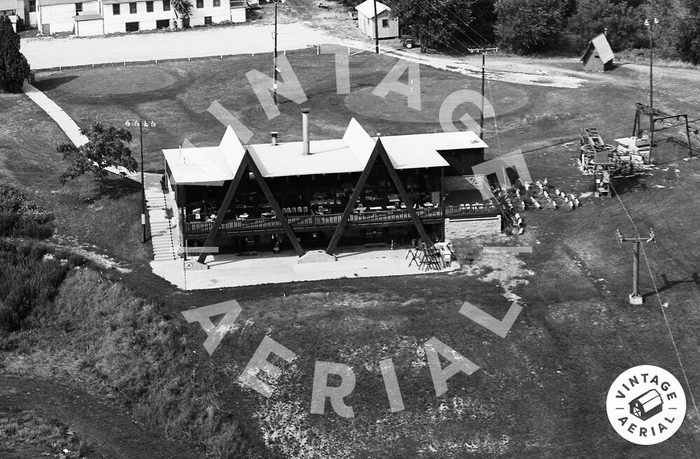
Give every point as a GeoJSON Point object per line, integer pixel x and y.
{"type": "Point", "coordinates": [105, 220]}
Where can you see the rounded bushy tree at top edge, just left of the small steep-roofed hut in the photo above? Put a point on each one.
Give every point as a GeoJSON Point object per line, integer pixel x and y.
{"type": "Point", "coordinates": [526, 26]}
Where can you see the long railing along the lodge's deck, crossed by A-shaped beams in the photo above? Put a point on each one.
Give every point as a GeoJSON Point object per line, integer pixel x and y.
{"type": "Point", "coordinates": [367, 218]}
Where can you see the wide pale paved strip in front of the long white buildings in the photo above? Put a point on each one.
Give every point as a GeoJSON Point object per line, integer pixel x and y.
{"type": "Point", "coordinates": [240, 39]}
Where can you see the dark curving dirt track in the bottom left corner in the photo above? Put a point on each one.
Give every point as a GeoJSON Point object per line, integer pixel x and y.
{"type": "Point", "coordinates": [112, 433]}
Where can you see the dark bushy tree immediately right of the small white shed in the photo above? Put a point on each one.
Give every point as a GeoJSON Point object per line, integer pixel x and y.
{"type": "Point", "coordinates": [436, 22]}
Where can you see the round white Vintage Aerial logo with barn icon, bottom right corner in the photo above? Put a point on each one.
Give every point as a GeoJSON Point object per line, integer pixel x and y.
{"type": "Point", "coordinates": [646, 405]}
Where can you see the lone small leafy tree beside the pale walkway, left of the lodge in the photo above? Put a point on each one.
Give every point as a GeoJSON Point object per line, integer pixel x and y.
{"type": "Point", "coordinates": [106, 148]}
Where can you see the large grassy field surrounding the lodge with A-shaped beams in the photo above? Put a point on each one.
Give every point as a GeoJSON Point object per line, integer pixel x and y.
{"type": "Point", "coordinates": [539, 392]}
